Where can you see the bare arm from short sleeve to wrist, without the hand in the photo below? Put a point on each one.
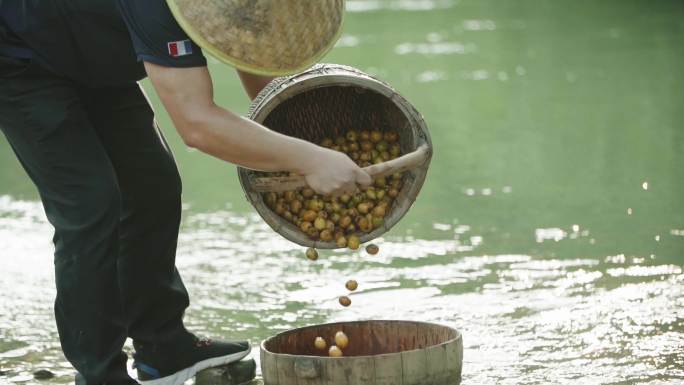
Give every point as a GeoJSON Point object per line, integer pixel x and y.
{"type": "Point", "coordinates": [187, 95]}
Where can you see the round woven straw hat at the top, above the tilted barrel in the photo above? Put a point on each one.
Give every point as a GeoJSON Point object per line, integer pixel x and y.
{"type": "Point", "coordinates": [266, 37]}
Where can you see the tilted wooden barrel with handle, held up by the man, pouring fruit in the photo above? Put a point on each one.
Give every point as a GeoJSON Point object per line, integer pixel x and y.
{"type": "Point", "coordinates": [326, 101]}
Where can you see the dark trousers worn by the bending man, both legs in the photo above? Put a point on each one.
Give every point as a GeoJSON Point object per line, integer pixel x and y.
{"type": "Point", "coordinates": [111, 189]}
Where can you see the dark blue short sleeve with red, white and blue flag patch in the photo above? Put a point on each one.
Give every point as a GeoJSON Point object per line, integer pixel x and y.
{"type": "Point", "coordinates": [157, 37]}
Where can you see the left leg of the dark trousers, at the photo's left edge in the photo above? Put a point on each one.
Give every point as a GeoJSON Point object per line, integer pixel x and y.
{"type": "Point", "coordinates": [46, 124]}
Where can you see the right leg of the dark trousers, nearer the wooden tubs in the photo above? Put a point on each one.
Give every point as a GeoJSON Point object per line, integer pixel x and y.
{"type": "Point", "coordinates": [153, 293]}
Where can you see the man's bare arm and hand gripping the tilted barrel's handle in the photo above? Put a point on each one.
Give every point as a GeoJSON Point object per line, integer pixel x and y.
{"type": "Point", "coordinates": [187, 95]}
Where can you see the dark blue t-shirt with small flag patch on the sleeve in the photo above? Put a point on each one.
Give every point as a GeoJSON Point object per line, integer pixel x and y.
{"type": "Point", "coordinates": [96, 42]}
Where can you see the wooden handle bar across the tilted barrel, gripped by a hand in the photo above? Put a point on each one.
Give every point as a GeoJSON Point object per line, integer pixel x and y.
{"type": "Point", "coordinates": [403, 163]}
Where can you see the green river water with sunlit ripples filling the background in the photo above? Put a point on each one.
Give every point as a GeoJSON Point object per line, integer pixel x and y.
{"type": "Point", "coordinates": [550, 229]}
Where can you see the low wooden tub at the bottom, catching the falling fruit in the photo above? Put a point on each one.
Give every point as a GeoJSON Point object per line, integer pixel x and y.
{"type": "Point", "coordinates": [379, 353]}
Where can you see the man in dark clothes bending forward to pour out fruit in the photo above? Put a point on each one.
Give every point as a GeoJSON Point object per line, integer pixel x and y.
{"type": "Point", "coordinates": [84, 132]}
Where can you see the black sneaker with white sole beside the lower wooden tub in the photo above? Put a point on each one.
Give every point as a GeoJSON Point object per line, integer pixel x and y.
{"type": "Point", "coordinates": [173, 365]}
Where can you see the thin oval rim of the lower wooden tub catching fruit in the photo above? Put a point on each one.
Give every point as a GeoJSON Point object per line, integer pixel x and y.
{"type": "Point", "coordinates": [262, 346]}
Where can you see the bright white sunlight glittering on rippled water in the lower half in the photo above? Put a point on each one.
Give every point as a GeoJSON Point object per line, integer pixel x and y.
{"type": "Point", "coordinates": [522, 317]}
